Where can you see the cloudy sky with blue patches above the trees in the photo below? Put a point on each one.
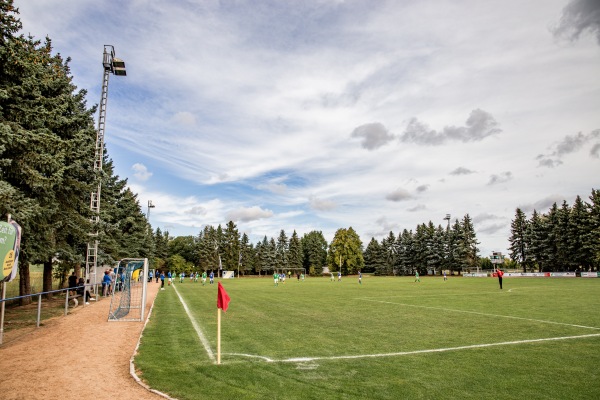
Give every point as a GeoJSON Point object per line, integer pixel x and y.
{"type": "Point", "coordinates": [325, 114]}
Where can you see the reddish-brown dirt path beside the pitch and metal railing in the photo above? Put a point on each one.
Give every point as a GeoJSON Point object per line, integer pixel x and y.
{"type": "Point", "coordinates": [80, 356]}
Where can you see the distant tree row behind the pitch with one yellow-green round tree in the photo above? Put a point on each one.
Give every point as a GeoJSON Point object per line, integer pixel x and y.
{"type": "Point", "coordinates": [428, 249]}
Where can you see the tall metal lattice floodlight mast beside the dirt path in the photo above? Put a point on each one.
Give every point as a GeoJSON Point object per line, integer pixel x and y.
{"type": "Point", "coordinates": [112, 65]}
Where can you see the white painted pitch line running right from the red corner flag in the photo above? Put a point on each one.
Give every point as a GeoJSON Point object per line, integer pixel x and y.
{"type": "Point", "coordinates": [407, 353]}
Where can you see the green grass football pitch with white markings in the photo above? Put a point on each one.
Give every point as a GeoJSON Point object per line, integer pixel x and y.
{"type": "Point", "coordinates": [388, 338]}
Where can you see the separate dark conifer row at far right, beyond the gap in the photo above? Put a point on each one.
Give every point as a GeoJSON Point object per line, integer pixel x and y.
{"type": "Point", "coordinates": [565, 238]}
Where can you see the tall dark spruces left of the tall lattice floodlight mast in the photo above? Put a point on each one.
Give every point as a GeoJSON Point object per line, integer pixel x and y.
{"type": "Point", "coordinates": [45, 149]}
